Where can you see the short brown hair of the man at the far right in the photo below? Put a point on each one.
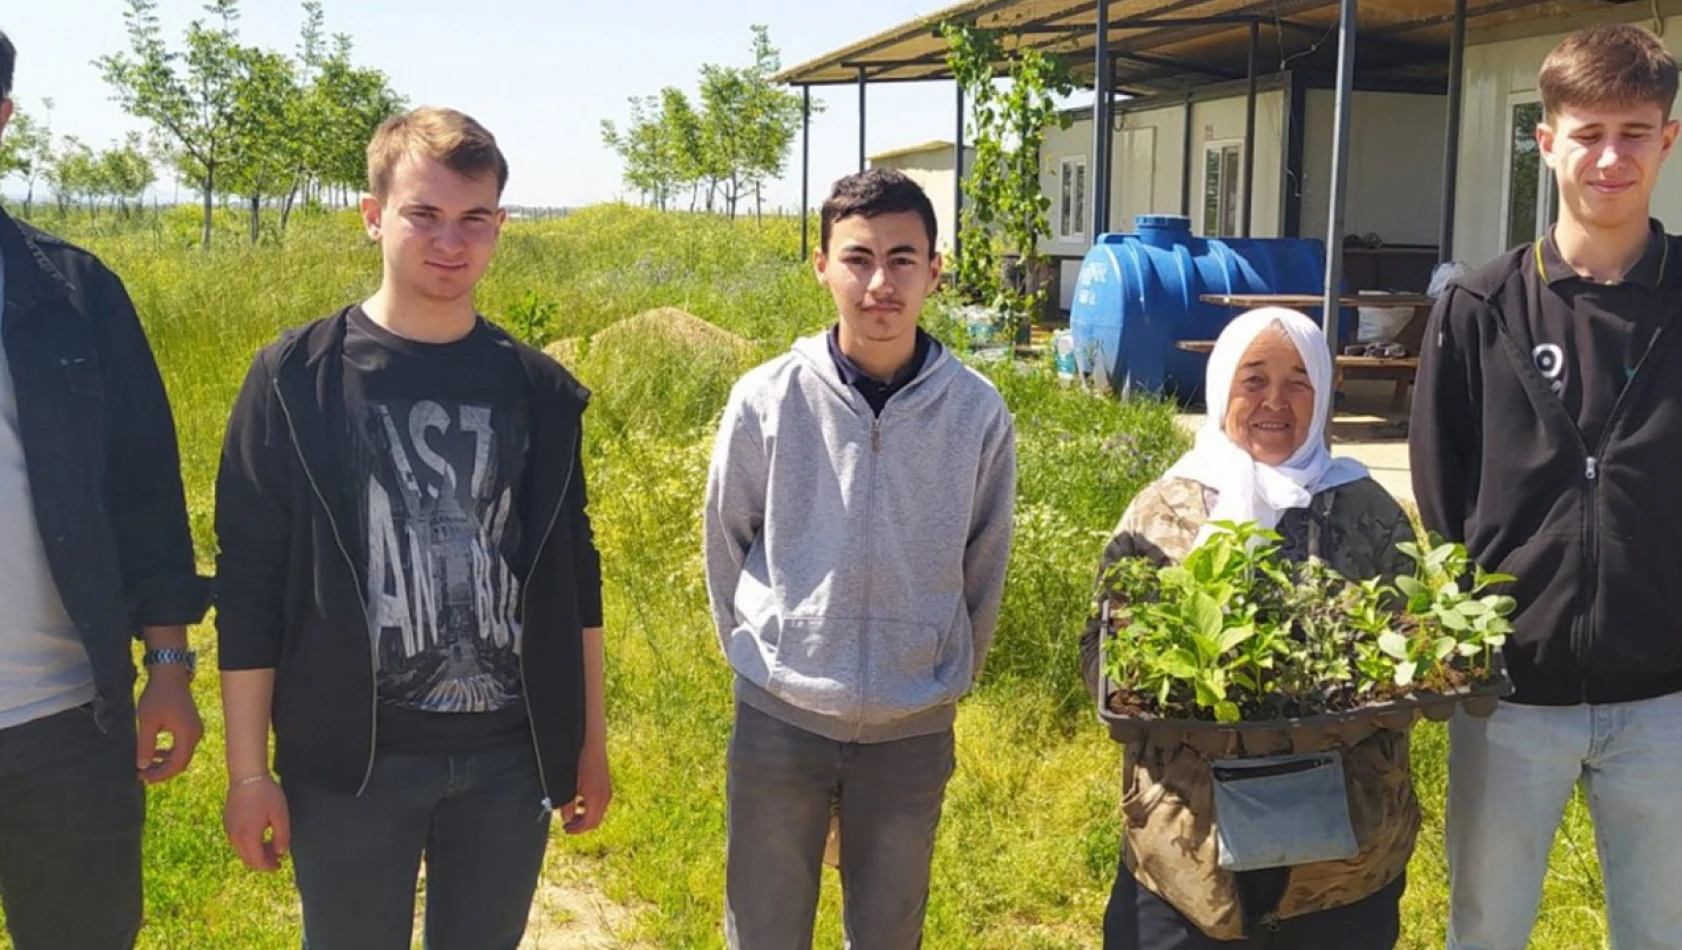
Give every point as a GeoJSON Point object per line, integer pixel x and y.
{"type": "Point", "coordinates": [1609, 65]}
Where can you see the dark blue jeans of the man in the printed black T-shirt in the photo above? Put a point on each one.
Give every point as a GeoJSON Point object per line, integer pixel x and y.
{"type": "Point", "coordinates": [475, 818]}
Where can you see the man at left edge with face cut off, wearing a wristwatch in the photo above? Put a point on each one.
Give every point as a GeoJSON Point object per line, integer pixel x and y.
{"type": "Point", "coordinates": [95, 552]}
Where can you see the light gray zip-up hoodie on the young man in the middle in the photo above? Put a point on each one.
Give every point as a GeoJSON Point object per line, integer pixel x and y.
{"type": "Point", "coordinates": [855, 564]}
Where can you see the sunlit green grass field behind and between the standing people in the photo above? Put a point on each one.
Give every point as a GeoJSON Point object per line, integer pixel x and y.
{"type": "Point", "coordinates": [1030, 837]}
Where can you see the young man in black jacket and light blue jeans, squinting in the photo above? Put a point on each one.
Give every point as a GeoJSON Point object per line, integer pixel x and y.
{"type": "Point", "coordinates": [1548, 438]}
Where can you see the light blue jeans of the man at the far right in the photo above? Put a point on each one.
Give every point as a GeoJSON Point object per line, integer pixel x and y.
{"type": "Point", "coordinates": [1510, 779]}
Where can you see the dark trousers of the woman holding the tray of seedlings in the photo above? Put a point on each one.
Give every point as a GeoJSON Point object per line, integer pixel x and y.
{"type": "Point", "coordinates": [1140, 921]}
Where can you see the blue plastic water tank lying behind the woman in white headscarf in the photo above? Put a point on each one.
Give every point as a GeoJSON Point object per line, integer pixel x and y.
{"type": "Point", "coordinates": [1138, 297]}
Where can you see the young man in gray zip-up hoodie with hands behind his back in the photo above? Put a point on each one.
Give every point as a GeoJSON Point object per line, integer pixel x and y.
{"type": "Point", "coordinates": [857, 532]}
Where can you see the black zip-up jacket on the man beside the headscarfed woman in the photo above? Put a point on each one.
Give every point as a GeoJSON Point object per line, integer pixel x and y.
{"type": "Point", "coordinates": [1594, 532]}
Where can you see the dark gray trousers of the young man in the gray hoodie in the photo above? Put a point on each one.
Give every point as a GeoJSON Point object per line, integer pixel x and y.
{"type": "Point", "coordinates": [781, 786]}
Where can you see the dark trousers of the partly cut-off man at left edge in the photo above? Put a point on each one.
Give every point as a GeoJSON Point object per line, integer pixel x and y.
{"type": "Point", "coordinates": [71, 818]}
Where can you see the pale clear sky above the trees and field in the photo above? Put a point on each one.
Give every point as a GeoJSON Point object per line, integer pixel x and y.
{"type": "Point", "coordinates": [541, 75]}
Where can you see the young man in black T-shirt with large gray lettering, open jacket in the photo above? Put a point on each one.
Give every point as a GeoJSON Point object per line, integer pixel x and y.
{"type": "Point", "coordinates": [408, 586]}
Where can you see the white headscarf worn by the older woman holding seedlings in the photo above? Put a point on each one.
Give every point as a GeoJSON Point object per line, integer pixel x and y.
{"type": "Point", "coordinates": [1251, 490]}
